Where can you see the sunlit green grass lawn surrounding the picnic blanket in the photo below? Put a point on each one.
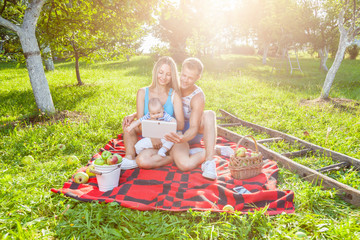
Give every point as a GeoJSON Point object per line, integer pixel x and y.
{"type": "Point", "coordinates": [238, 84]}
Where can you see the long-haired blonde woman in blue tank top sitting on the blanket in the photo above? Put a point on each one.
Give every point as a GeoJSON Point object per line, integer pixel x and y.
{"type": "Point", "coordinates": [165, 86]}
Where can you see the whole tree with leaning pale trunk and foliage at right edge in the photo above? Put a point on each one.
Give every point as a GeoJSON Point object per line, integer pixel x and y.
{"type": "Point", "coordinates": [349, 28]}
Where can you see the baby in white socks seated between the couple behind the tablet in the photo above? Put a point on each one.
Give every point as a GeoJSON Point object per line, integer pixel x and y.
{"type": "Point", "coordinates": [156, 112]}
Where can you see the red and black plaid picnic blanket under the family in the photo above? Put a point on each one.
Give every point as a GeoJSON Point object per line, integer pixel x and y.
{"type": "Point", "coordinates": [168, 188]}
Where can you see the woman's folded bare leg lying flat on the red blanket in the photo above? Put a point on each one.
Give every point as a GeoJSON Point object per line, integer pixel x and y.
{"type": "Point", "coordinates": [148, 159]}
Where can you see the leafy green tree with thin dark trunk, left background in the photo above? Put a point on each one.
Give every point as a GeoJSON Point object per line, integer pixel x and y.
{"type": "Point", "coordinates": [94, 29]}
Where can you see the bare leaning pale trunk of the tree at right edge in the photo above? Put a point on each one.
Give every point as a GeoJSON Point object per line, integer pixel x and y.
{"type": "Point", "coordinates": [344, 42]}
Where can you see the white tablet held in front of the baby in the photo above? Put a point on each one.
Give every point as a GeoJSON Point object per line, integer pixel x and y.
{"type": "Point", "coordinates": [157, 129]}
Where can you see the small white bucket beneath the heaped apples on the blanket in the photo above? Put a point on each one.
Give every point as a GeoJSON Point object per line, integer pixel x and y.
{"type": "Point", "coordinates": [107, 176]}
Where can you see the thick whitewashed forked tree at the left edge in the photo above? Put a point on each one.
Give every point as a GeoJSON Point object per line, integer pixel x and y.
{"type": "Point", "coordinates": [30, 47]}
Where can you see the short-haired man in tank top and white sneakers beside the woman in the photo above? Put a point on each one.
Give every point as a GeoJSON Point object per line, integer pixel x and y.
{"type": "Point", "coordinates": [199, 123]}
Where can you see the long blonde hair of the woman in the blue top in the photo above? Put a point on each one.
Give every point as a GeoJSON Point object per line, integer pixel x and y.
{"type": "Point", "coordinates": [175, 82]}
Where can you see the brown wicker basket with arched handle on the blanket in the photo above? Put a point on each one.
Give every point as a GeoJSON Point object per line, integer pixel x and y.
{"type": "Point", "coordinates": [246, 167]}
